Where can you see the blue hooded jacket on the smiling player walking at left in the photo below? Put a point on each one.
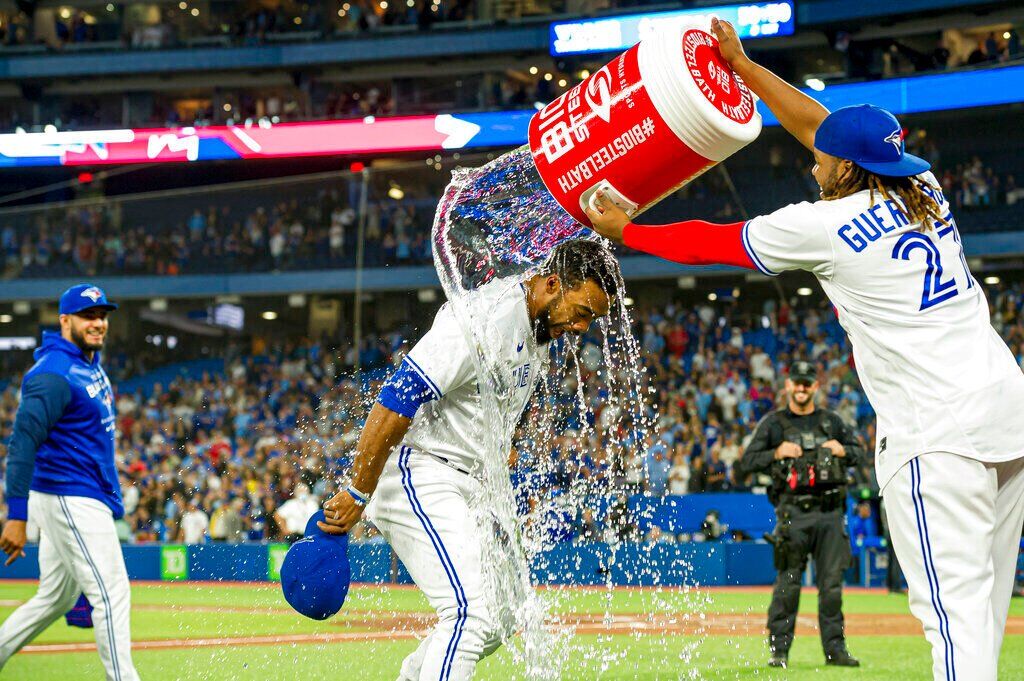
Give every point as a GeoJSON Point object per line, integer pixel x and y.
{"type": "Point", "coordinates": [65, 431]}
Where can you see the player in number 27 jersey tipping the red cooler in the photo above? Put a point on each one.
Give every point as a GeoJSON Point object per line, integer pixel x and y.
{"type": "Point", "coordinates": [950, 450]}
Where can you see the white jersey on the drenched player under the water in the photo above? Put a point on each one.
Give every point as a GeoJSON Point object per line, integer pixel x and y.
{"type": "Point", "coordinates": [451, 425]}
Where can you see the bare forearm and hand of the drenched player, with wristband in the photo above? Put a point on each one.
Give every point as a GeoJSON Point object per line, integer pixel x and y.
{"type": "Point", "coordinates": [383, 432]}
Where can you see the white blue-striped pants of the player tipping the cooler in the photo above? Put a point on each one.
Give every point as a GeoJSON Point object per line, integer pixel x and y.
{"type": "Point", "coordinates": [956, 525]}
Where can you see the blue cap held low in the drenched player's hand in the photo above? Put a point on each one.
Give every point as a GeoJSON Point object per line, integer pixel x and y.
{"type": "Point", "coordinates": [316, 573]}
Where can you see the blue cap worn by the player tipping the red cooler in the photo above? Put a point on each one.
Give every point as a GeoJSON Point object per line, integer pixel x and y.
{"type": "Point", "coordinates": [870, 137]}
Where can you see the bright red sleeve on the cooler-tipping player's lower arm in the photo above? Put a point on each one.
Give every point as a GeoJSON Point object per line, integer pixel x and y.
{"type": "Point", "coordinates": [692, 243]}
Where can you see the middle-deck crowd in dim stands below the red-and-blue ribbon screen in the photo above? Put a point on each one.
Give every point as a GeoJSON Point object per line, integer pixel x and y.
{"type": "Point", "coordinates": [317, 228]}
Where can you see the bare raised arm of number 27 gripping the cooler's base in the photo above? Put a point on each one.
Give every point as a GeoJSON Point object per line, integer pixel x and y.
{"type": "Point", "coordinates": [799, 114]}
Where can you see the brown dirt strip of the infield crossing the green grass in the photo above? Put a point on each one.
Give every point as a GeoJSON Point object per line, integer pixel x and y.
{"type": "Point", "coordinates": [374, 626]}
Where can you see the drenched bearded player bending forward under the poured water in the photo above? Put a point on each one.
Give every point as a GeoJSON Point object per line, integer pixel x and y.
{"type": "Point", "coordinates": [418, 456]}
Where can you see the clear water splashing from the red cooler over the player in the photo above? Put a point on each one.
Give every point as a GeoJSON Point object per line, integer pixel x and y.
{"type": "Point", "coordinates": [498, 222]}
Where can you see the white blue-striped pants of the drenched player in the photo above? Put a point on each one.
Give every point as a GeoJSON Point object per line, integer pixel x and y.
{"type": "Point", "coordinates": [420, 508]}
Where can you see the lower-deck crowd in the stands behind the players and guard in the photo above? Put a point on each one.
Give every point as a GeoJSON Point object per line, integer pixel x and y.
{"type": "Point", "coordinates": [246, 454]}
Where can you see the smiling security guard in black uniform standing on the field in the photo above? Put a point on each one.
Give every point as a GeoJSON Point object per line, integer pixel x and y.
{"type": "Point", "coordinates": [807, 453]}
